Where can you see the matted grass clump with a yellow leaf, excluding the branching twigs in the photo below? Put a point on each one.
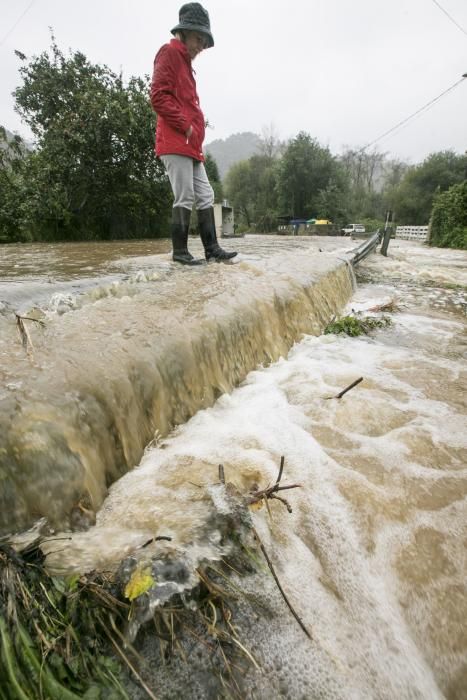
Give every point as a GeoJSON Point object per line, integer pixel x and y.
{"type": "Point", "coordinates": [64, 639]}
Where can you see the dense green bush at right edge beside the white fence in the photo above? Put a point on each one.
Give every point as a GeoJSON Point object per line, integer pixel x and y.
{"type": "Point", "coordinates": [449, 218]}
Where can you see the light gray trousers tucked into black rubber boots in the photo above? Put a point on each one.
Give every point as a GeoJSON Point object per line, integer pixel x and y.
{"type": "Point", "coordinates": [189, 182]}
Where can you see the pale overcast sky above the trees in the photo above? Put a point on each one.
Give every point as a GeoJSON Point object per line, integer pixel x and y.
{"type": "Point", "coordinates": [343, 70]}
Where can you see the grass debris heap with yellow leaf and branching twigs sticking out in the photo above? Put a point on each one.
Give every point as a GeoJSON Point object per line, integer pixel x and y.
{"type": "Point", "coordinates": [68, 638]}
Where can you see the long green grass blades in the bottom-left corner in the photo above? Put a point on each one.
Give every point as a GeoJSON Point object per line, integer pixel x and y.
{"type": "Point", "coordinates": [52, 639]}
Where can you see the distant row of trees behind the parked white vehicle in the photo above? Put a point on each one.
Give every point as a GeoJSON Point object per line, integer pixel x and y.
{"type": "Point", "coordinates": [301, 179]}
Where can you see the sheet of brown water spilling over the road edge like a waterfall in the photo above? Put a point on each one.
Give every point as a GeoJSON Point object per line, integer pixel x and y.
{"type": "Point", "coordinates": [129, 356]}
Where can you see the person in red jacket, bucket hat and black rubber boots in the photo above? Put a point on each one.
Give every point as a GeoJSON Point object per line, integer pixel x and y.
{"type": "Point", "coordinates": [180, 133]}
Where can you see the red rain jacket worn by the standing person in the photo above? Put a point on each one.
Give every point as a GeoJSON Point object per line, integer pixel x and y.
{"type": "Point", "coordinates": [174, 98]}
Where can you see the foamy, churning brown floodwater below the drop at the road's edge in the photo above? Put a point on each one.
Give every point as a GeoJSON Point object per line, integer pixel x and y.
{"type": "Point", "coordinates": [374, 554]}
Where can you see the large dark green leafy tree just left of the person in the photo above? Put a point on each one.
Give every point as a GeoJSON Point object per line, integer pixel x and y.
{"type": "Point", "coordinates": [94, 173]}
